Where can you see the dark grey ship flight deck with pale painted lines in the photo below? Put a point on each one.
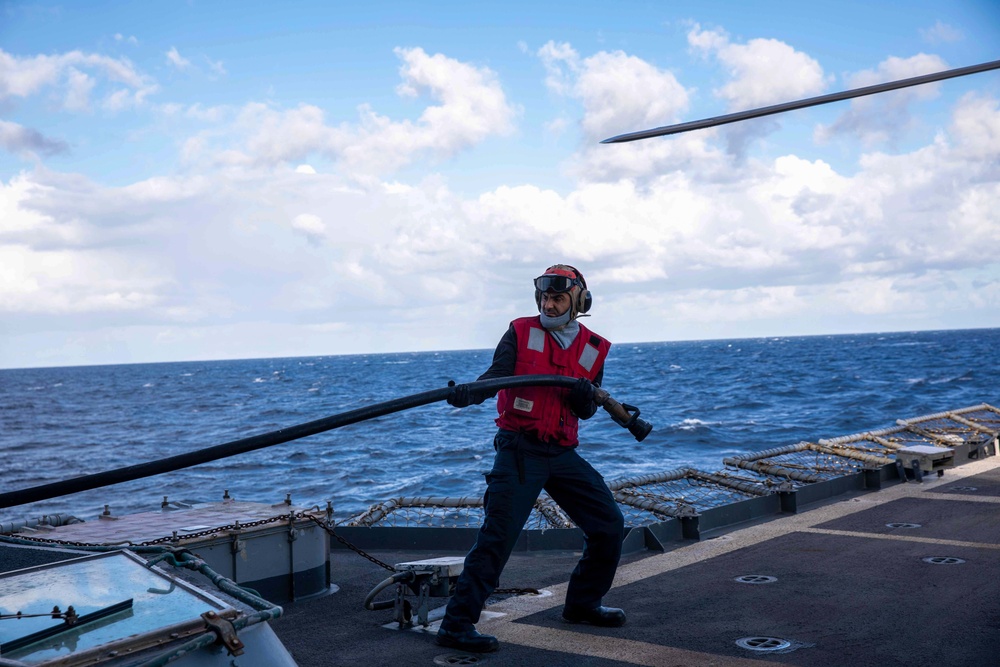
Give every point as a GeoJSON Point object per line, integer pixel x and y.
{"type": "Point", "coordinates": [848, 589]}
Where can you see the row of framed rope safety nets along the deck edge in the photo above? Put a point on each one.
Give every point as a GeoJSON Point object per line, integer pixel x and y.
{"type": "Point", "coordinates": [686, 492]}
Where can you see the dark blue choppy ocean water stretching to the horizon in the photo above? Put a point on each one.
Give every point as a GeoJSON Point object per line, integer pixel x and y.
{"type": "Point", "coordinates": [706, 399]}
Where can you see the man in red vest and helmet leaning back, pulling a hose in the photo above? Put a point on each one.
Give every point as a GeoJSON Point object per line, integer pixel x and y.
{"type": "Point", "coordinates": [535, 450]}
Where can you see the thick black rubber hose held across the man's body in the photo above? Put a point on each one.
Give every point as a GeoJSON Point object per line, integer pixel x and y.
{"type": "Point", "coordinates": [171, 463]}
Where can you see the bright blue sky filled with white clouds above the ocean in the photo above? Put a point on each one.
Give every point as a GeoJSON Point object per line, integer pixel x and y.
{"type": "Point", "coordinates": [189, 180]}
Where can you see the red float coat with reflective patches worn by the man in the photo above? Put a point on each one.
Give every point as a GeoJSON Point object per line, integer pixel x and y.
{"type": "Point", "coordinates": [544, 411]}
